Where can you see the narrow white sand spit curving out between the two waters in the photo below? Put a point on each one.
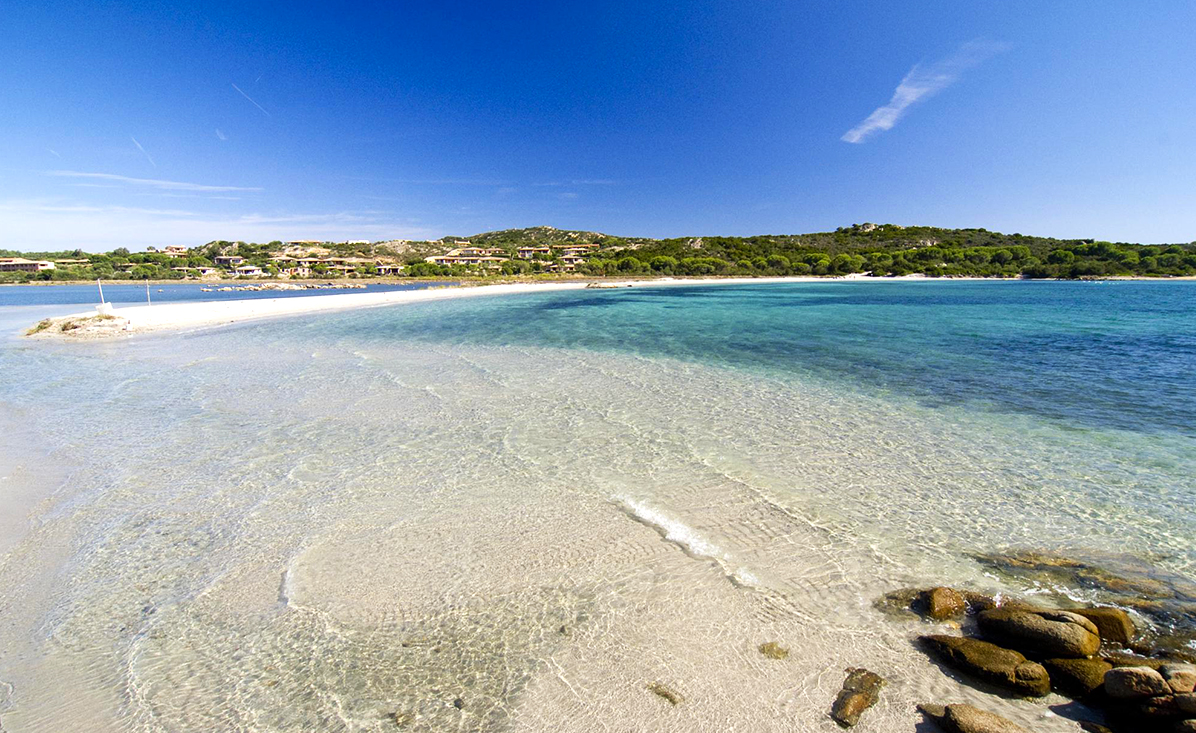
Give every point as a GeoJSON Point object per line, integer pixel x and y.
{"type": "Point", "coordinates": [174, 316]}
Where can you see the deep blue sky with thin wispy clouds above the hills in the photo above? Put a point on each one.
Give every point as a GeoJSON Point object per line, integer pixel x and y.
{"type": "Point", "coordinates": [137, 124]}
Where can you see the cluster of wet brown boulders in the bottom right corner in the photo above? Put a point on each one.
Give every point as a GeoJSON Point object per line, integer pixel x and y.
{"type": "Point", "coordinates": [1126, 657]}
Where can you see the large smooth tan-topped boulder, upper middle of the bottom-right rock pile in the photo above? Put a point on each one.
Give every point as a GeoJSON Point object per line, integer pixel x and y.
{"type": "Point", "coordinates": [1042, 633]}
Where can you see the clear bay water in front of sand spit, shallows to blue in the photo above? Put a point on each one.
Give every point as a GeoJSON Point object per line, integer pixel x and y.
{"type": "Point", "coordinates": [514, 514]}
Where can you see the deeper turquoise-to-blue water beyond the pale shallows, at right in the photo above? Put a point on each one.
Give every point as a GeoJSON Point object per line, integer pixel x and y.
{"type": "Point", "coordinates": [1100, 355]}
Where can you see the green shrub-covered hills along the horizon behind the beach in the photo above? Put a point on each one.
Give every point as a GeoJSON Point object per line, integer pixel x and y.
{"type": "Point", "coordinates": [881, 251]}
